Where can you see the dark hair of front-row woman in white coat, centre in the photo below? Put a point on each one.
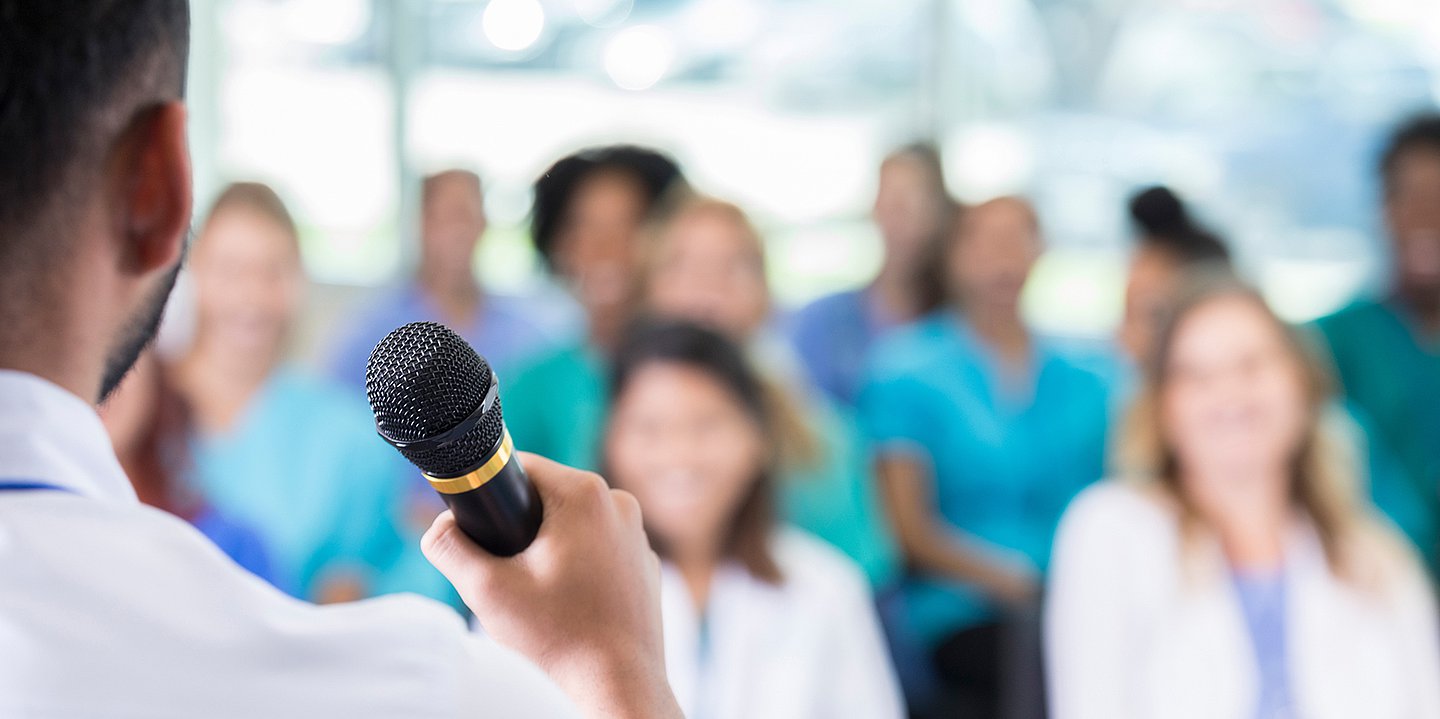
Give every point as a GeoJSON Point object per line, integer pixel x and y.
{"type": "Point", "coordinates": [711, 352]}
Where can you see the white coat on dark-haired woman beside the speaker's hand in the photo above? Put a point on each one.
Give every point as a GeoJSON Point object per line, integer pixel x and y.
{"type": "Point", "coordinates": [806, 649]}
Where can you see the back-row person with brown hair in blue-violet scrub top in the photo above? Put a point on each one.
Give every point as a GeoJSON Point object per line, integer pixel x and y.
{"type": "Point", "coordinates": [914, 213]}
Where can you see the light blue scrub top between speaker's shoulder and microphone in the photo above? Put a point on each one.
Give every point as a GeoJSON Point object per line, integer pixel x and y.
{"type": "Point", "coordinates": [305, 468]}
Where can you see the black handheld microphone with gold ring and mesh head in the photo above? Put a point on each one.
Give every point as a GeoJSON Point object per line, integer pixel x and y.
{"type": "Point", "coordinates": [438, 403]}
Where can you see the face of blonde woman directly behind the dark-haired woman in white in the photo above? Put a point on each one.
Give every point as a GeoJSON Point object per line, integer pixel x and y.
{"type": "Point", "coordinates": [708, 272]}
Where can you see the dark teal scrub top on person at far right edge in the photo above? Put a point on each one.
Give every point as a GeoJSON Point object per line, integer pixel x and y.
{"type": "Point", "coordinates": [1392, 378]}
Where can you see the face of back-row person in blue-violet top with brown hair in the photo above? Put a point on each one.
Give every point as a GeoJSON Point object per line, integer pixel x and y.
{"type": "Point", "coordinates": [908, 211]}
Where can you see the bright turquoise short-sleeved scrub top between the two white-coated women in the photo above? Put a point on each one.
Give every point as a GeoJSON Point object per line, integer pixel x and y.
{"type": "Point", "coordinates": [1004, 463]}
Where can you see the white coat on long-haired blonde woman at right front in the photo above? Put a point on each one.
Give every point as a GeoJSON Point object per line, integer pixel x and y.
{"type": "Point", "coordinates": [1133, 633]}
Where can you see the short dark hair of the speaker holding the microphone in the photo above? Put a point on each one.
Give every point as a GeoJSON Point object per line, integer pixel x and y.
{"type": "Point", "coordinates": [73, 77]}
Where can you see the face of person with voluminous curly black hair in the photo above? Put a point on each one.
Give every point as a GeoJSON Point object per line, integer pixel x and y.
{"type": "Point", "coordinates": [597, 250]}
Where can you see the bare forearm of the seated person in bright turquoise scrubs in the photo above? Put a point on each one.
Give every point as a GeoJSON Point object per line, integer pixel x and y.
{"type": "Point", "coordinates": [934, 547]}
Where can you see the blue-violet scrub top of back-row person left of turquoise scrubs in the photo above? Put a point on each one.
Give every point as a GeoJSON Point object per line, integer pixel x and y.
{"type": "Point", "coordinates": [833, 338]}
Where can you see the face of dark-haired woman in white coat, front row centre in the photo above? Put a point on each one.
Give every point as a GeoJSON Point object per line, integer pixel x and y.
{"type": "Point", "coordinates": [688, 450]}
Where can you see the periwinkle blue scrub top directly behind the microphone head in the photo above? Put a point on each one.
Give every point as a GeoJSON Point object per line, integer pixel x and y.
{"type": "Point", "coordinates": [505, 331]}
